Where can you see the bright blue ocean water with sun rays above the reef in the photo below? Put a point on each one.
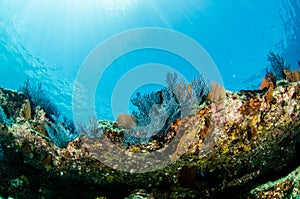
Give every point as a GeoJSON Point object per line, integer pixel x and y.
{"type": "Point", "coordinates": [48, 41]}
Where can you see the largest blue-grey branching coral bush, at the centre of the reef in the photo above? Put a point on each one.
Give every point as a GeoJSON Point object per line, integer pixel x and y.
{"type": "Point", "coordinates": [158, 110]}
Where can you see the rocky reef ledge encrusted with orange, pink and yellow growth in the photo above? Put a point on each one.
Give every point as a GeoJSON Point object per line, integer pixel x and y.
{"type": "Point", "coordinates": [257, 142]}
